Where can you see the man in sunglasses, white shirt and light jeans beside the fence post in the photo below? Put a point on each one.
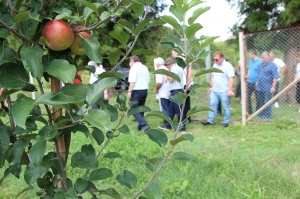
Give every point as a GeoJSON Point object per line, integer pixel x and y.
{"type": "Point", "coordinates": [221, 89]}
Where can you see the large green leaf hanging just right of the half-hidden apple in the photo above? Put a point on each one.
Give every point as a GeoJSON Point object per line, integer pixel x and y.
{"type": "Point", "coordinates": [91, 46]}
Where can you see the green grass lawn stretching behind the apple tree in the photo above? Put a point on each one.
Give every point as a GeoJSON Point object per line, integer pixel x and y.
{"type": "Point", "coordinates": [254, 161]}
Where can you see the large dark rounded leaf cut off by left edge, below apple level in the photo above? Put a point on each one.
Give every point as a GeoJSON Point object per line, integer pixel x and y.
{"type": "Point", "coordinates": [13, 76]}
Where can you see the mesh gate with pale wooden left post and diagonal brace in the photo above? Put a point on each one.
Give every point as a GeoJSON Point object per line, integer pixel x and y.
{"type": "Point", "coordinates": [267, 107]}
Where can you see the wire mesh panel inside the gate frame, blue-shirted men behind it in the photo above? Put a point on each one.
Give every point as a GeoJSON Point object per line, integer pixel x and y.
{"type": "Point", "coordinates": [284, 44]}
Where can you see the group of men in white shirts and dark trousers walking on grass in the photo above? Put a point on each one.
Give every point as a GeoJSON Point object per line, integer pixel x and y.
{"type": "Point", "coordinates": [166, 87]}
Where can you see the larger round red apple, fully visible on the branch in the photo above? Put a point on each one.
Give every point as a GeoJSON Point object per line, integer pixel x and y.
{"type": "Point", "coordinates": [58, 35]}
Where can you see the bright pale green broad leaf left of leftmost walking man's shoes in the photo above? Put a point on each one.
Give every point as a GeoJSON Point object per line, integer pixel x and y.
{"type": "Point", "coordinates": [99, 119]}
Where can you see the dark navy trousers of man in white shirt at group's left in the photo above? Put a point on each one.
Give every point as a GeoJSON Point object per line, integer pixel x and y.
{"type": "Point", "coordinates": [140, 97]}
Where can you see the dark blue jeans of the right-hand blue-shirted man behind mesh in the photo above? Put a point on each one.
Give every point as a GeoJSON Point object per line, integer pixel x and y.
{"type": "Point", "coordinates": [262, 98]}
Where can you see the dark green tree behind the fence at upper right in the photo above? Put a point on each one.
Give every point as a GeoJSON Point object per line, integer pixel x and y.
{"type": "Point", "coordinates": [259, 15]}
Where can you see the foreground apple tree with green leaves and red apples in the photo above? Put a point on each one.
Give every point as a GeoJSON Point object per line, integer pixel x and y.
{"type": "Point", "coordinates": [47, 40]}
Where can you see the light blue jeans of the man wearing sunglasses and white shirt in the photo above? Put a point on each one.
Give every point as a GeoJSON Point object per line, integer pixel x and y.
{"type": "Point", "coordinates": [215, 99]}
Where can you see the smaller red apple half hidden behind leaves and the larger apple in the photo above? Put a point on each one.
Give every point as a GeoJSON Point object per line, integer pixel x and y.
{"type": "Point", "coordinates": [76, 47]}
